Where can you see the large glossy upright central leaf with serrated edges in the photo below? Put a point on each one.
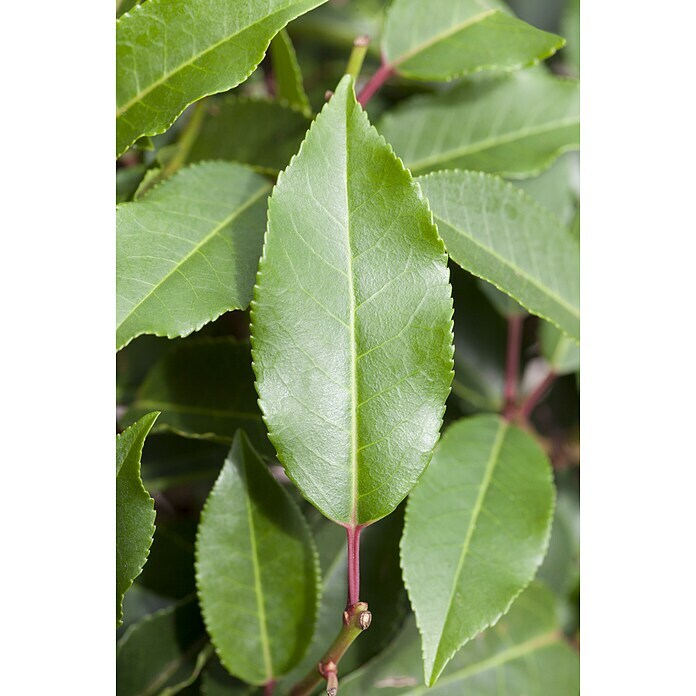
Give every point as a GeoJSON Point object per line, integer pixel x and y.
{"type": "Point", "coordinates": [351, 320]}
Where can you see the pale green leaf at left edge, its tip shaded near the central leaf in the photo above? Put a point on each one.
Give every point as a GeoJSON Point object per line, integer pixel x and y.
{"type": "Point", "coordinates": [188, 250]}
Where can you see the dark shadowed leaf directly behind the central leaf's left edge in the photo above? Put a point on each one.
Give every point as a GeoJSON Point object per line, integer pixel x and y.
{"type": "Point", "coordinates": [204, 388]}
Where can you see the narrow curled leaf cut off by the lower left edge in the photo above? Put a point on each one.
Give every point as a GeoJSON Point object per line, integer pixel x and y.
{"type": "Point", "coordinates": [135, 509]}
